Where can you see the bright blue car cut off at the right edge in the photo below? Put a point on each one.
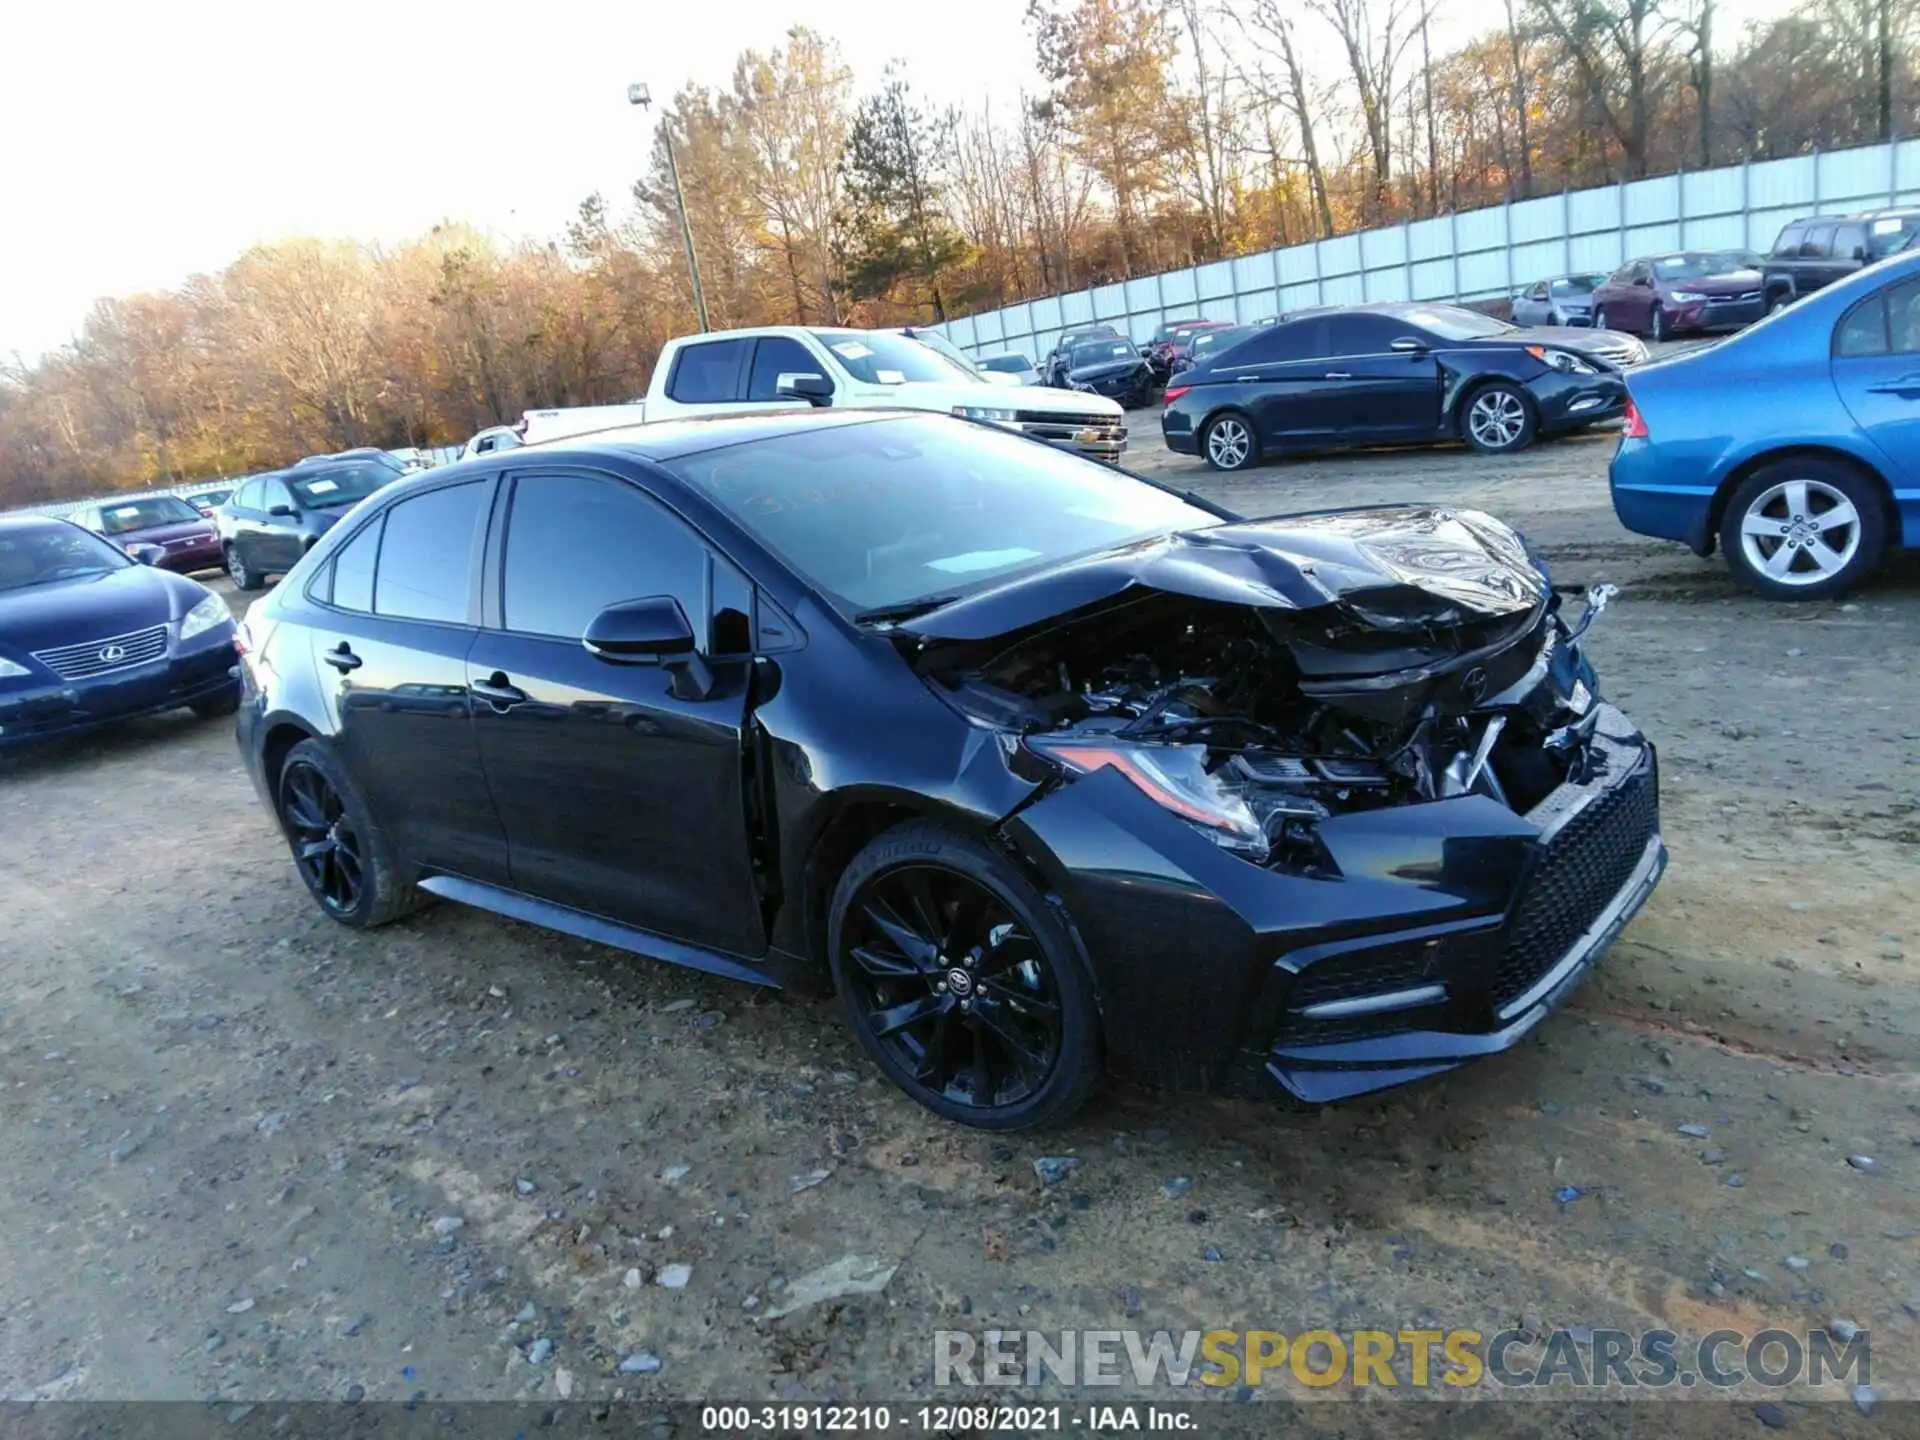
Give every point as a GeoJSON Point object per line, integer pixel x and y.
{"type": "Point", "coordinates": [1794, 446]}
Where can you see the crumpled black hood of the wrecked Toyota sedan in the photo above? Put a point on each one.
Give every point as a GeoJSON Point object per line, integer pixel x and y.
{"type": "Point", "coordinates": [1401, 567]}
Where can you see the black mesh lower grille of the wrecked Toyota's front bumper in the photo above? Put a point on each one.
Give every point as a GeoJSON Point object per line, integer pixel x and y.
{"type": "Point", "coordinates": [1575, 876]}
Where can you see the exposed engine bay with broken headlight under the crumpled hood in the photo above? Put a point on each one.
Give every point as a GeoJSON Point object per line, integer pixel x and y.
{"type": "Point", "coordinates": [1257, 723]}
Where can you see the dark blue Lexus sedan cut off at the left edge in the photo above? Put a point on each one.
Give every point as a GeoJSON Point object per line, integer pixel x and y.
{"type": "Point", "coordinates": [91, 636]}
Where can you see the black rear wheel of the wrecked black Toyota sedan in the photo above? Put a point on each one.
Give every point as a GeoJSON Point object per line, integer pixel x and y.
{"type": "Point", "coordinates": [345, 861]}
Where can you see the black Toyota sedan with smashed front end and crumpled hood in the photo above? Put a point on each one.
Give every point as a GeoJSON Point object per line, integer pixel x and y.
{"type": "Point", "coordinates": [1047, 771]}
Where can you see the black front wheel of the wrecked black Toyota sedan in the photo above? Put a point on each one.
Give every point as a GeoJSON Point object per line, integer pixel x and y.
{"type": "Point", "coordinates": [961, 980]}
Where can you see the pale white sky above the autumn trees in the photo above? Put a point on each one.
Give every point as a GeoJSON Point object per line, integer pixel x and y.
{"type": "Point", "coordinates": [149, 143]}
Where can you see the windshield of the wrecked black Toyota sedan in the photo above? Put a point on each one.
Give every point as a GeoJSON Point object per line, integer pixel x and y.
{"type": "Point", "coordinates": [892, 512]}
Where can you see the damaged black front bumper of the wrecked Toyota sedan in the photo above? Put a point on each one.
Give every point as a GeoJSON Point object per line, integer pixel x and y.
{"type": "Point", "coordinates": [1451, 930]}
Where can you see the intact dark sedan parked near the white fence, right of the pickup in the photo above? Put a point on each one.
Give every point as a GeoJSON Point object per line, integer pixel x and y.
{"type": "Point", "coordinates": [1395, 375]}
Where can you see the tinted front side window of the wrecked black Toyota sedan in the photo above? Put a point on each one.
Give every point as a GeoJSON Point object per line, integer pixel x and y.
{"type": "Point", "coordinates": [579, 544]}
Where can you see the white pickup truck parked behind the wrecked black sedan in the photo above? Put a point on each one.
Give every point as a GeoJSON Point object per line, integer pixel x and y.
{"type": "Point", "coordinates": [794, 368]}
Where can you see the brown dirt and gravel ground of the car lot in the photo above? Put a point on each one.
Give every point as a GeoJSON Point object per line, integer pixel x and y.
{"type": "Point", "coordinates": [247, 1155]}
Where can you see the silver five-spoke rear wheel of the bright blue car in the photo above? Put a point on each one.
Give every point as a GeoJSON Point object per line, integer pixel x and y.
{"type": "Point", "coordinates": [1804, 529]}
